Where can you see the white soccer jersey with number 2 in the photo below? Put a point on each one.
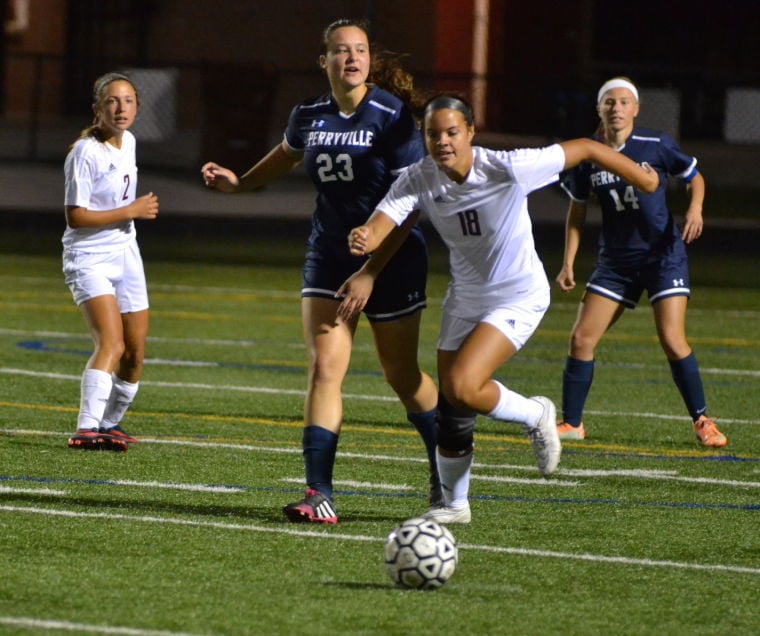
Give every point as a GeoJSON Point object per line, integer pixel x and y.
{"type": "Point", "coordinates": [100, 176]}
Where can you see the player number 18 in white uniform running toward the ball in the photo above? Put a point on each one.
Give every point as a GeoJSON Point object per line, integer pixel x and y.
{"type": "Point", "coordinates": [477, 200]}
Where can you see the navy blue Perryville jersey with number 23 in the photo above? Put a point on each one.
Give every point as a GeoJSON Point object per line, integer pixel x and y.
{"type": "Point", "coordinates": [352, 159]}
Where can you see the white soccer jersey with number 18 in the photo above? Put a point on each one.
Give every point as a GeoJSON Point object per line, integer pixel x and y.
{"type": "Point", "coordinates": [483, 221]}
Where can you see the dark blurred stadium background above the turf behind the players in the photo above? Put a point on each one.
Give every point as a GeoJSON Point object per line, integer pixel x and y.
{"type": "Point", "coordinates": [217, 79]}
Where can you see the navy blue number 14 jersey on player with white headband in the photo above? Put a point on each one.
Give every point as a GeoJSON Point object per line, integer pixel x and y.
{"type": "Point", "coordinates": [637, 228]}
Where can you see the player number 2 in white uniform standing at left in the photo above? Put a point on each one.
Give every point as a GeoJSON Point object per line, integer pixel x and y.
{"type": "Point", "coordinates": [102, 263]}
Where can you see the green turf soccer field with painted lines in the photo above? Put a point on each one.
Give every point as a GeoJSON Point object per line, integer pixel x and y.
{"type": "Point", "coordinates": [641, 532]}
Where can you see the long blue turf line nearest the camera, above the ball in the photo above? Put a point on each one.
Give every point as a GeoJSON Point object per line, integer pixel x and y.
{"type": "Point", "coordinates": [687, 505]}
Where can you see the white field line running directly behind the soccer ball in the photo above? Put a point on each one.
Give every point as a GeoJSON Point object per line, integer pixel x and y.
{"type": "Point", "coordinates": [327, 534]}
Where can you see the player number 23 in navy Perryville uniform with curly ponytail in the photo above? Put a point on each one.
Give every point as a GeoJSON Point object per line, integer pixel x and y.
{"type": "Point", "coordinates": [353, 141]}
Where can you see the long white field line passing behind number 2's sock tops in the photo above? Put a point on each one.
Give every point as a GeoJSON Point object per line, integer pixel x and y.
{"type": "Point", "coordinates": [347, 396]}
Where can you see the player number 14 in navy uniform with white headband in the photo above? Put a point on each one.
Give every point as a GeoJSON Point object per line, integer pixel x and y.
{"type": "Point", "coordinates": [641, 248]}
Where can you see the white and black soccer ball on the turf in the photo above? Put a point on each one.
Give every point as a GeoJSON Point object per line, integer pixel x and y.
{"type": "Point", "coordinates": [420, 554]}
